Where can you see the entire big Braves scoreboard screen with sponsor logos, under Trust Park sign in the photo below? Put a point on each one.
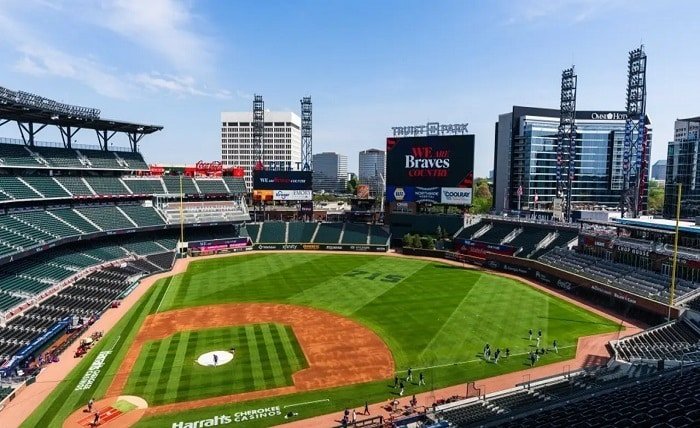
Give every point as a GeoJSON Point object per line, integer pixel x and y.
{"type": "Point", "coordinates": [436, 169]}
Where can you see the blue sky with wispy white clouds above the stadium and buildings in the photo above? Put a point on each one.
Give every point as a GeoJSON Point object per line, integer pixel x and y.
{"type": "Point", "coordinates": [368, 65]}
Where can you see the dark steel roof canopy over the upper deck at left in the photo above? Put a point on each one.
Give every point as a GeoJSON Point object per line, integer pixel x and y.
{"type": "Point", "coordinates": [29, 110]}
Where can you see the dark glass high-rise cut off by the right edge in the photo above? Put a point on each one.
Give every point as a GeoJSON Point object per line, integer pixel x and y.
{"type": "Point", "coordinates": [683, 166]}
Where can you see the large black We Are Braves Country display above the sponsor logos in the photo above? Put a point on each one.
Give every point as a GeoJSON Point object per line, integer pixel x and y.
{"type": "Point", "coordinates": [432, 161]}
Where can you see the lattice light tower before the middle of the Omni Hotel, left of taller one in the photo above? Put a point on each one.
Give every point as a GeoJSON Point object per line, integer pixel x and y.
{"type": "Point", "coordinates": [566, 138]}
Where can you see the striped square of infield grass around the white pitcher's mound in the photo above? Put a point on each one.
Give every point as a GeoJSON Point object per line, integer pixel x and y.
{"type": "Point", "coordinates": [167, 370]}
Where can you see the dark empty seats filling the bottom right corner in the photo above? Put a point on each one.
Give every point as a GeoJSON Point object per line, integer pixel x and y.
{"type": "Point", "coordinates": [661, 400]}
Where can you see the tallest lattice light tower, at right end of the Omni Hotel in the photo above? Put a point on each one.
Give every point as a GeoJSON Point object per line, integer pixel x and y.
{"type": "Point", "coordinates": [635, 143]}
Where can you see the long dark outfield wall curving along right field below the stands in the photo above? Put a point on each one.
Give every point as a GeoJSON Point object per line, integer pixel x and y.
{"type": "Point", "coordinates": [620, 301]}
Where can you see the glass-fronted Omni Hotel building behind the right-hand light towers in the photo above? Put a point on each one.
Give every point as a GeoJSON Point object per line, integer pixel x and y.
{"type": "Point", "coordinates": [525, 159]}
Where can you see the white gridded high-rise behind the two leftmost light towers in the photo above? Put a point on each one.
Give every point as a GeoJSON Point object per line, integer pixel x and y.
{"type": "Point", "coordinates": [281, 137]}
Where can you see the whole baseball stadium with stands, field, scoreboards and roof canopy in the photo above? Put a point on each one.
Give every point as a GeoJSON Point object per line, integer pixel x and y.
{"type": "Point", "coordinates": [150, 296]}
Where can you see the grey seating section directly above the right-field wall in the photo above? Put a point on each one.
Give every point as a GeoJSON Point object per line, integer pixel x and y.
{"type": "Point", "coordinates": [639, 281]}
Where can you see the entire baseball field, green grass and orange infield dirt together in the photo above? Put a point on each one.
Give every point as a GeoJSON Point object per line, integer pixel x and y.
{"type": "Point", "coordinates": [312, 334]}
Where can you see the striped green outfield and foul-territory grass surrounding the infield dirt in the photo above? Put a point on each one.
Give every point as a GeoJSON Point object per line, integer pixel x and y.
{"type": "Point", "coordinates": [435, 318]}
